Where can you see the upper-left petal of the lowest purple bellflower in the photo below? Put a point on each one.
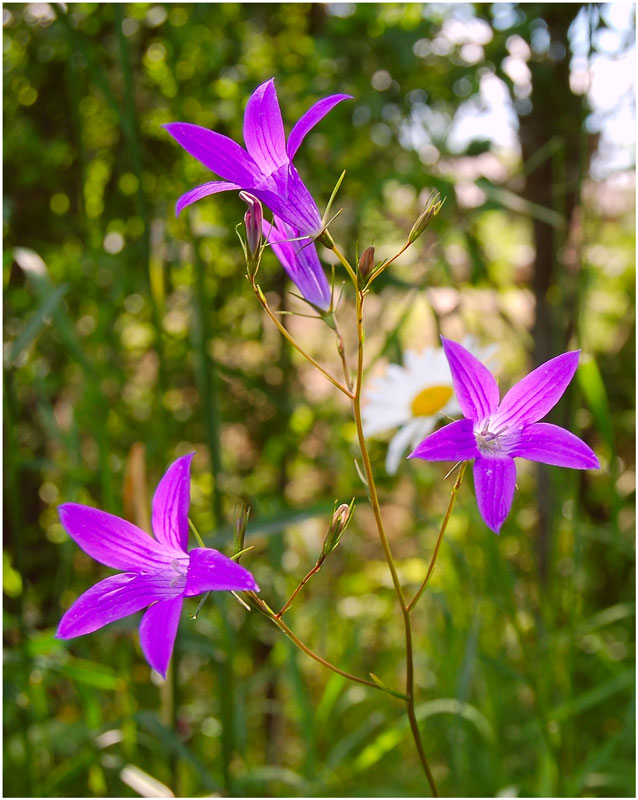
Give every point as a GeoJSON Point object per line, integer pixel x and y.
{"type": "Point", "coordinates": [111, 540]}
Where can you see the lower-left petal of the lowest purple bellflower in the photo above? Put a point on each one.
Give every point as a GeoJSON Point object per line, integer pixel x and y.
{"type": "Point", "coordinates": [111, 599]}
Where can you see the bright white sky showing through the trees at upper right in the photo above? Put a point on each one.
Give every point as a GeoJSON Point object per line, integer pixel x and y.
{"type": "Point", "coordinates": [603, 69]}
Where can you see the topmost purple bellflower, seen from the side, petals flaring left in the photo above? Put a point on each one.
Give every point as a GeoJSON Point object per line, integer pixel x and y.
{"type": "Point", "coordinates": [265, 167]}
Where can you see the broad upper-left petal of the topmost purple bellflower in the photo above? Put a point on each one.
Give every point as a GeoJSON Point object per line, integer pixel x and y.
{"type": "Point", "coordinates": [217, 152]}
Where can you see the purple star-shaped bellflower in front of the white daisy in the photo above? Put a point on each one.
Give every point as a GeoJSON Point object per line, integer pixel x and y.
{"type": "Point", "coordinates": [495, 434]}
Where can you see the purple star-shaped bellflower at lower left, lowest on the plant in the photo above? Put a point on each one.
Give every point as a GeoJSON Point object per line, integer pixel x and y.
{"type": "Point", "coordinates": [158, 572]}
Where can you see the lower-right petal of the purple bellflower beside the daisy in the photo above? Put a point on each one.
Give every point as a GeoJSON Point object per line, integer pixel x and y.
{"type": "Point", "coordinates": [551, 444]}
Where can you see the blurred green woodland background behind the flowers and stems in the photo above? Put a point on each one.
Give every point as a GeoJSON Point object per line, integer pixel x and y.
{"type": "Point", "coordinates": [131, 337]}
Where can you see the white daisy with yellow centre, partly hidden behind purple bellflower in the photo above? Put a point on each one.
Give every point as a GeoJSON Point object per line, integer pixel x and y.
{"type": "Point", "coordinates": [413, 398]}
